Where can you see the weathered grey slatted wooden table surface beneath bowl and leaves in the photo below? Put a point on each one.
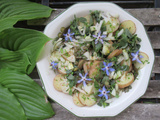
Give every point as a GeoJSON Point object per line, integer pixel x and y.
{"type": "Point", "coordinates": [148, 106]}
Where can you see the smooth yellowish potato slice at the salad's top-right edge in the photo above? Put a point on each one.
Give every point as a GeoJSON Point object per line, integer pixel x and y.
{"type": "Point", "coordinates": [130, 25]}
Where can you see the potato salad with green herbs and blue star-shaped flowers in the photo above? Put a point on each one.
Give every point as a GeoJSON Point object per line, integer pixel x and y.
{"type": "Point", "coordinates": [96, 58]}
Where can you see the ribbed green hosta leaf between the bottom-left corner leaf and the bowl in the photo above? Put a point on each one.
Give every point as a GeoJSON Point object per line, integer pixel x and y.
{"type": "Point", "coordinates": [29, 94]}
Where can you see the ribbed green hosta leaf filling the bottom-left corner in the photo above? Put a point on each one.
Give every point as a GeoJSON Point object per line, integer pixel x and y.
{"type": "Point", "coordinates": [10, 108]}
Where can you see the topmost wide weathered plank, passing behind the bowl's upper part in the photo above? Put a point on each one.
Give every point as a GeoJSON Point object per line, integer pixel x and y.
{"type": "Point", "coordinates": [149, 16]}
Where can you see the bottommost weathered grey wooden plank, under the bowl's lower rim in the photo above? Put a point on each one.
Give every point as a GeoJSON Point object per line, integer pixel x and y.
{"type": "Point", "coordinates": [134, 112]}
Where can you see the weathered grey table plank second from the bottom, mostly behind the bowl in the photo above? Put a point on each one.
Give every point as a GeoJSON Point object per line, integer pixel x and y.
{"type": "Point", "coordinates": [153, 90]}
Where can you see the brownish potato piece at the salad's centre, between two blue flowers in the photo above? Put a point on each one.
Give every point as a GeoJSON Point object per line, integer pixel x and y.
{"type": "Point", "coordinates": [95, 69]}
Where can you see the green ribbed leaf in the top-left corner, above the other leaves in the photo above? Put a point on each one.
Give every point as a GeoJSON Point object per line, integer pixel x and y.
{"type": "Point", "coordinates": [18, 10]}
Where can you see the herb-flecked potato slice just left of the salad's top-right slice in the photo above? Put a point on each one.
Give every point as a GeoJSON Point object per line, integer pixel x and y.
{"type": "Point", "coordinates": [112, 25]}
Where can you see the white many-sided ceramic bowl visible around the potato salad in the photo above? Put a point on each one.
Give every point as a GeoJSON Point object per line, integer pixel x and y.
{"type": "Point", "coordinates": [47, 75]}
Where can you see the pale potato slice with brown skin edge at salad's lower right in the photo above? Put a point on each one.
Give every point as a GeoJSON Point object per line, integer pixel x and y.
{"type": "Point", "coordinates": [126, 81]}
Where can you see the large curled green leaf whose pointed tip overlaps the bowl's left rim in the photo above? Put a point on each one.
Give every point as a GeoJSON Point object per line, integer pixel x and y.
{"type": "Point", "coordinates": [19, 48]}
